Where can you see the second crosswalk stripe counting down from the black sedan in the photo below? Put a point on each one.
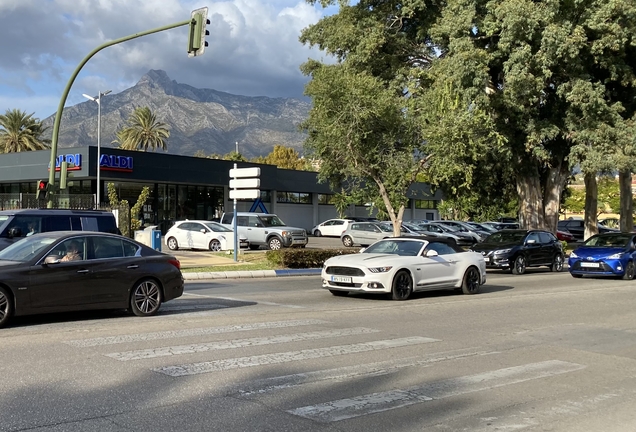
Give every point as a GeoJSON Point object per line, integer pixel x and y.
{"type": "Point", "coordinates": [236, 343]}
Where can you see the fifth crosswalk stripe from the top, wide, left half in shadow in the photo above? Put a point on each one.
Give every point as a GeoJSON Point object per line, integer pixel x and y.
{"type": "Point", "coordinates": [384, 401]}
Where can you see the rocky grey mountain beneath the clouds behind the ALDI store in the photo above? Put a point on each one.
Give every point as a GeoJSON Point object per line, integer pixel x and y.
{"type": "Point", "coordinates": [199, 119]}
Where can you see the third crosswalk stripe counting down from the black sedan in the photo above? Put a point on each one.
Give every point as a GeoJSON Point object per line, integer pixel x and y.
{"type": "Point", "coordinates": [285, 357]}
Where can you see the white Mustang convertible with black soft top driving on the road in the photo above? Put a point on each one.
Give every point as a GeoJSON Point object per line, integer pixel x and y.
{"type": "Point", "coordinates": [399, 266]}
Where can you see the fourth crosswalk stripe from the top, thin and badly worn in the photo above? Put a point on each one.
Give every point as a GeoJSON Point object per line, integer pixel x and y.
{"type": "Point", "coordinates": [346, 373]}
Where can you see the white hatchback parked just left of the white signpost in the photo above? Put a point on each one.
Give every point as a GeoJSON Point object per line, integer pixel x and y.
{"type": "Point", "coordinates": [201, 234]}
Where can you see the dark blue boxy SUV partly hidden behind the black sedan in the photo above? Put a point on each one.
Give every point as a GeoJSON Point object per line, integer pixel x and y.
{"type": "Point", "coordinates": [16, 224]}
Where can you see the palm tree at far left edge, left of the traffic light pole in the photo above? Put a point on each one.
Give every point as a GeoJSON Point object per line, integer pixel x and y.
{"type": "Point", "coordinates": [20, 131]}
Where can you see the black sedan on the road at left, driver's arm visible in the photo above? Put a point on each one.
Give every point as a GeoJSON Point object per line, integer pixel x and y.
{"type": "Point", "coordinates": [70, 271]}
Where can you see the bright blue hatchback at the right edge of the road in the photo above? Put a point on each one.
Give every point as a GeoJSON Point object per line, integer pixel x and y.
{"type": "Point", "coordinates": [609, 254]}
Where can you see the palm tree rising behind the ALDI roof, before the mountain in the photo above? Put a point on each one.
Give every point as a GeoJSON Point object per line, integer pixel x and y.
{"type": "Point", "coordinates": [143, 131]}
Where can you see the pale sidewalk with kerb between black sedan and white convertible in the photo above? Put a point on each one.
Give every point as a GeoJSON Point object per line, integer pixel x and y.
{"type": "Point", "coordinates": [190, 259]}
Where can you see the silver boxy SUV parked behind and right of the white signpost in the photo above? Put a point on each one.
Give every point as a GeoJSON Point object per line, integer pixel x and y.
{"type": "Point", "coordinates": [264, 229]}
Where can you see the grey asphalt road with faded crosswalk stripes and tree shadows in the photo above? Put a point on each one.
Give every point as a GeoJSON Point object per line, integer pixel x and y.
{"type": "Point", "coordinates": [538, 352]}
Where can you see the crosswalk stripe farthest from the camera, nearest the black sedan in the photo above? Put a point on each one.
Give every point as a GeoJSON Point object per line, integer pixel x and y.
{"type": "Point", "coordinates": [112, 340]}
